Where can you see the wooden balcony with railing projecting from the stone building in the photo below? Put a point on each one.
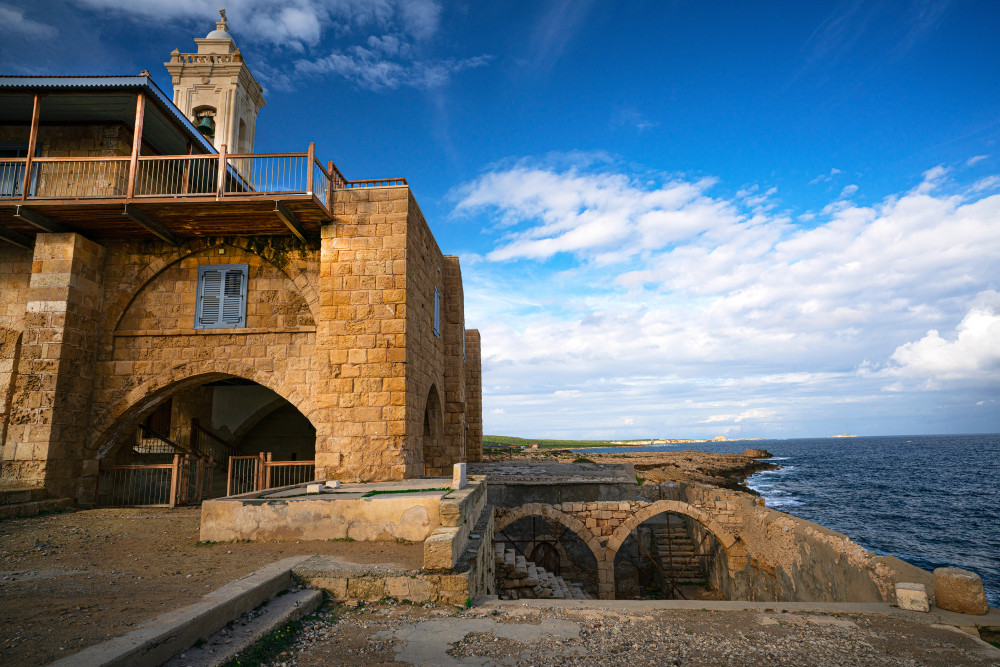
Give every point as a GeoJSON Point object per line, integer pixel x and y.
{"type": "Point", "coordinates": [170, 196]}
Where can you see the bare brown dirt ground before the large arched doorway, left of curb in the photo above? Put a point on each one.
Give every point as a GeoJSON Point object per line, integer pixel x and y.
{"type": "Point", "coordinates": [74, 579]}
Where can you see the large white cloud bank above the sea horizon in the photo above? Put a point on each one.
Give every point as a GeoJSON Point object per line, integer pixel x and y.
{"type": "Point", "coordinates": [667, 301]}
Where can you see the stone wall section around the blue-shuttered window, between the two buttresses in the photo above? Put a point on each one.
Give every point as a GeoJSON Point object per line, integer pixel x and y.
{"type": "Point", "coordinates": [149, 348]}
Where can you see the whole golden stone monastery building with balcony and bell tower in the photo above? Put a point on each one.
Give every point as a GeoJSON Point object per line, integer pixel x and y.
{"type": "Point", "coordinates": [164, 290]}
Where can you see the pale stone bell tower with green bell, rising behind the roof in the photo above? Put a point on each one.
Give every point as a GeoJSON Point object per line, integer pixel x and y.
{"type": "Point", "coordinates": [216, 91]}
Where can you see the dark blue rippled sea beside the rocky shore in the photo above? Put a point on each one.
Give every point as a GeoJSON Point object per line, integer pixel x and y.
{"type": "Point", "coordinates": [931, 500]}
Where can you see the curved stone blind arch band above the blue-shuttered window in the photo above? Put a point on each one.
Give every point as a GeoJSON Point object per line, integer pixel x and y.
{"type": "Point", "coordinates": [119, 305]}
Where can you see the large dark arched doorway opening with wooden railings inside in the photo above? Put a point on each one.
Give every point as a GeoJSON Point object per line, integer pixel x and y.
{"type": "Point", "coordinates": [214, 426]}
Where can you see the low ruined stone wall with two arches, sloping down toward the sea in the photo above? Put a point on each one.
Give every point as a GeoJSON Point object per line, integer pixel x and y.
{"type": "Point", "coordinates": [756, 553]}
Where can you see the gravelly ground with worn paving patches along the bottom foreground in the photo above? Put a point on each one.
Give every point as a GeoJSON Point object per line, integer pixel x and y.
{"type": "Point", "coordinates": [515, 634]}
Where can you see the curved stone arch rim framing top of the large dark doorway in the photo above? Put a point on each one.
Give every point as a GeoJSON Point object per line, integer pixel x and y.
{"type": "Point", "coordinates": [124, 415]}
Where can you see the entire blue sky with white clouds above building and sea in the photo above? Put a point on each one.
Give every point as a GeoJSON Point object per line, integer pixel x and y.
{"type": "Point", "coordinates": [675, 219]}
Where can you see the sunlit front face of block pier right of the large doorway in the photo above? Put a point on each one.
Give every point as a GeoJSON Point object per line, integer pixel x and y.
{"type": "Point", "coordinates": [363, 328]}
